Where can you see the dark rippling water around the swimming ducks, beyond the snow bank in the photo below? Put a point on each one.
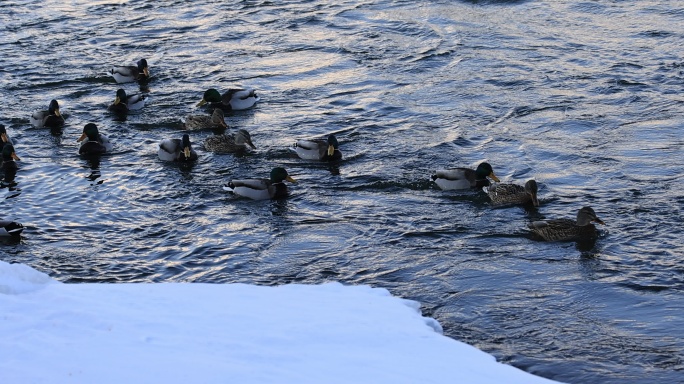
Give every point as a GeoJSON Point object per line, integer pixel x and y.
{"type": "Point", "coordinates": [582, 96]}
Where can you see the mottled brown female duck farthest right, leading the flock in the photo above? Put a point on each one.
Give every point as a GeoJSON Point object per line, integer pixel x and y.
{"type": "Point", "coordinates": [566, 229]}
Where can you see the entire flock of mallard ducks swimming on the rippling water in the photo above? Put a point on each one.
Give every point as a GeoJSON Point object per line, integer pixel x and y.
{"type": "Point", "coordinates": [94, 143]}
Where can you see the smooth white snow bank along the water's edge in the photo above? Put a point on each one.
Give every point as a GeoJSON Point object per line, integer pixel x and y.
{"type": "Point", "coordinates": [52, 332]}
